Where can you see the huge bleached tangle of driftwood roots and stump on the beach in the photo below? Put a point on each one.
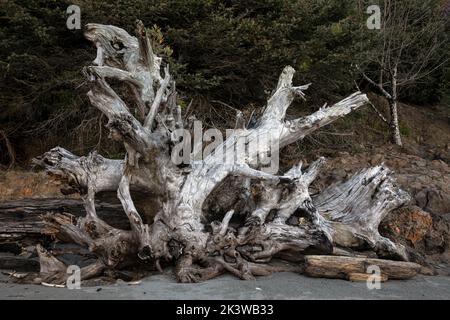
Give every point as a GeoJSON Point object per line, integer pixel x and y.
{"type": "Point", "coordinates": [258, 210]}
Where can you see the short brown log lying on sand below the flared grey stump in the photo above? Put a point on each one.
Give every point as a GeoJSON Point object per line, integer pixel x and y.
{"type": "Point", "coordinates": [343, 267]}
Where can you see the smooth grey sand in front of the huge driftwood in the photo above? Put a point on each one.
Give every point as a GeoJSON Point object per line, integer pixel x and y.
{"type": "Point", "coordinates": [277, 286]}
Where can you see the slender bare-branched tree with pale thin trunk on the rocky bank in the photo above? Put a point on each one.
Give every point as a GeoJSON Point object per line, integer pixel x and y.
{"type": "Point", "coordinates": [407, 48]}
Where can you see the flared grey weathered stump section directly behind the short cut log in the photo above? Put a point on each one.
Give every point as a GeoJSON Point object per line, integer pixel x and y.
{"type": "Point", "coordinates": [354, 209]}
